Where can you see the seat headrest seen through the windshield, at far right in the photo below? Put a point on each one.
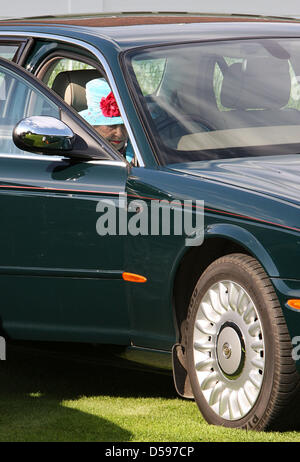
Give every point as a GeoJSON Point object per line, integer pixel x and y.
{"type": "Point", "coordinates": [258, 83]}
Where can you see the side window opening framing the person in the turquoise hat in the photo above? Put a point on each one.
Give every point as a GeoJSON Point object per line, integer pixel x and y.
{"type": "Point", "coordinates": [70, 79]}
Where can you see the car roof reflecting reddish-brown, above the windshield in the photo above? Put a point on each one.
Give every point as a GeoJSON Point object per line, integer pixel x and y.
{"type": "Point", "coordinates": [127, 31]}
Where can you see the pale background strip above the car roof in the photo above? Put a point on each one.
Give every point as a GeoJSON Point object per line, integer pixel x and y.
{"type": "Point", "coordinates": [25, 8]}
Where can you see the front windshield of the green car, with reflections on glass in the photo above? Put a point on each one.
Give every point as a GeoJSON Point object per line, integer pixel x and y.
{"type": "Point", "coordinates": [219, 100]}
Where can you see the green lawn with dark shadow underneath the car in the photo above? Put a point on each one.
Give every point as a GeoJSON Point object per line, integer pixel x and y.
{"type": "Point", "coordinates": [44, 398]}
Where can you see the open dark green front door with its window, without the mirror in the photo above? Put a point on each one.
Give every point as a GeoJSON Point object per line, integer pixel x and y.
{"type": "Point", "coordinates": [59, 279]}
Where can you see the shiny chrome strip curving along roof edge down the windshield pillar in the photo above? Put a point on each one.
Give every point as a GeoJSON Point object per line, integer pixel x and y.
{"type": "Point", "coordinates": [107, 70]}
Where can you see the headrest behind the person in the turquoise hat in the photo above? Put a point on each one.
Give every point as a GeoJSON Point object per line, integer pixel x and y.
{"type": "Point", "coordinates": [70, 86]}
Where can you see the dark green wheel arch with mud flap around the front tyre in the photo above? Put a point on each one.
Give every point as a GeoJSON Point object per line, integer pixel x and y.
{"type": "Point", "coordinates": [219, 240]}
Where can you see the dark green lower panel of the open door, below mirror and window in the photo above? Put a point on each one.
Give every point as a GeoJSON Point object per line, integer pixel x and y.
{"type": "Point", "coordinates": [63, 247]}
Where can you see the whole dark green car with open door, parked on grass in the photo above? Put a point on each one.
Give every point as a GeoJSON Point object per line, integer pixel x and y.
{"type": "Point", "coordinates": [181, 247]}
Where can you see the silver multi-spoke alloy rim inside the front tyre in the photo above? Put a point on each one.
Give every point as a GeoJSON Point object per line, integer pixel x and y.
{"type": "Point", "coordinates": [228, 347]}
